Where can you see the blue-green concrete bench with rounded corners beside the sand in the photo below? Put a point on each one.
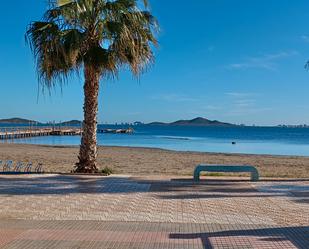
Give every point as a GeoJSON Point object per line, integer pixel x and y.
{"type": "Point", "coordinates": [226, 168]}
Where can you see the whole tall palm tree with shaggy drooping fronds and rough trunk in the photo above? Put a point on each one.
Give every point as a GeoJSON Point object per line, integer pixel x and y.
{"type": "Point", "coordinates": [99, 37]}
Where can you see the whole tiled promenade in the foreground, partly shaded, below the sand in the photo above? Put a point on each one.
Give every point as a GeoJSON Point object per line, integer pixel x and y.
{"type": "Point", "coordinates": [54, 211]}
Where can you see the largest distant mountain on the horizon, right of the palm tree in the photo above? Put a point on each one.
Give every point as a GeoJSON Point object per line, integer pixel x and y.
{"type": "Point", "coordinates": [194, 122]}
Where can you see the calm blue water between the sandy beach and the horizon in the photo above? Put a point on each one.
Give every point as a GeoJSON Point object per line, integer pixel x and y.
{"type": "Point", "coordinates": [250, 140]}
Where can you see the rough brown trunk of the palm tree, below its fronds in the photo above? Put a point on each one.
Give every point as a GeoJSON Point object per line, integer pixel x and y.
{"type": "Point", "coordinates": [88, 148]}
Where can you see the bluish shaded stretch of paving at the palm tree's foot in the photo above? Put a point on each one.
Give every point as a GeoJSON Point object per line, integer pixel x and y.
{"type": "Point", "coordinates": [65, 184]}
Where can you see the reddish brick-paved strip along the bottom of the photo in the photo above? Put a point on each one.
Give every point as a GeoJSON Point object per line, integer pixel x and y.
{"type": "Point", "coordinates": [92, 234]}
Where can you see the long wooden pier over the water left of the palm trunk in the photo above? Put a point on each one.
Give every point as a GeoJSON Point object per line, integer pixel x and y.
{"type": "Point", "coordinates": [7, 133]}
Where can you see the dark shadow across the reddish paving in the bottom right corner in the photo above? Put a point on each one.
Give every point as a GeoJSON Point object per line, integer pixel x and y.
{"type": "Point", "coordinates": [298, 236]}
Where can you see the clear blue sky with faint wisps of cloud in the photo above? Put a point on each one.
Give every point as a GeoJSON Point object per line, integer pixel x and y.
{"type": "Point", "coordinates": [237, 61]}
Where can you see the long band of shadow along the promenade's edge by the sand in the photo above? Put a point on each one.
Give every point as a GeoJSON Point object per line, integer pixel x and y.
{"type": "Point", "coordinates": [165, 189]}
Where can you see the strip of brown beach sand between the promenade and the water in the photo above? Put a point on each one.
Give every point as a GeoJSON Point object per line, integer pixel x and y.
{"type": "Point", "coordinates": [145, 161]}
